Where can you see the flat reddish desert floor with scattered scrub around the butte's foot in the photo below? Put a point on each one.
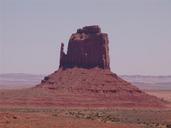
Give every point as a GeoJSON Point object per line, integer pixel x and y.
{"type": "Point", "coordinates": [12, 116]}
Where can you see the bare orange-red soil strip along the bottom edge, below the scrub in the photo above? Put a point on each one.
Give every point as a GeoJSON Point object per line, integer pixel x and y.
{"type": "Point", "coordinates": [40, 120]}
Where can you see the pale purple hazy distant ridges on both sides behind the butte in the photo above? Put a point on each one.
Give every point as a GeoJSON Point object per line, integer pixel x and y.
{"type": "Point", "coordinates": [146, 82]}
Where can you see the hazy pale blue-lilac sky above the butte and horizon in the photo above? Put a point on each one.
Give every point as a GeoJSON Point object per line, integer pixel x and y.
{"type": "Point", "coordinates": [139, 33]}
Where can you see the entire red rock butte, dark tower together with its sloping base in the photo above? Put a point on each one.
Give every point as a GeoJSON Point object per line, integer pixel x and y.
{"type": "Point", "coordinates": [84, 73]}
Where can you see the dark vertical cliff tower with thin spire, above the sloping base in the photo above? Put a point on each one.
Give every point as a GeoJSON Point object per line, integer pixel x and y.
{"type": "Point", "coordinates": [87, 48]}
